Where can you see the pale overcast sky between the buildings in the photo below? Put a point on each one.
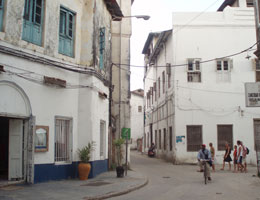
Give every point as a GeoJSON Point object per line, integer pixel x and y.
{"type": "Point", "coordinates": [160, 12]}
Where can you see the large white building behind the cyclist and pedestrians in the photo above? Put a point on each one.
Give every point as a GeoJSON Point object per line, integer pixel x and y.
{"type": "Point", "coordinates": [195, 91]}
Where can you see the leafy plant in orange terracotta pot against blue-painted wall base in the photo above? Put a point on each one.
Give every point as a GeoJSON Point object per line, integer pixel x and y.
{"type": "Point", "coordinates": [84, 166]}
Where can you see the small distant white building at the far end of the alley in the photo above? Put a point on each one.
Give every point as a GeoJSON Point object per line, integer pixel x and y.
{"type": "Point", "coordinates": [137, 118]}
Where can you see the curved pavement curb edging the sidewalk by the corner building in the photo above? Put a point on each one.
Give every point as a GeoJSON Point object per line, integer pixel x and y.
{"type": "Point", "coordinates": [115, 194]}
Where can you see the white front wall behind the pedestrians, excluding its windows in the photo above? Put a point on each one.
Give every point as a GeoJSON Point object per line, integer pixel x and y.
{"type": "Point", "coordinates": [211, 102]}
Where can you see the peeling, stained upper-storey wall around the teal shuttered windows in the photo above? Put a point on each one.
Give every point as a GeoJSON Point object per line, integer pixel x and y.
{"type": "Point", "coordinates": [90, 16]}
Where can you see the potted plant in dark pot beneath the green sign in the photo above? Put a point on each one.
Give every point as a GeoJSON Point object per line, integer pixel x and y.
{"type": "Point", "coordinates": [118, 145]}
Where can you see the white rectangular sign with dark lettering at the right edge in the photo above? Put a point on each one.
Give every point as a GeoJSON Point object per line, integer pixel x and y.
{"type": "Point", "coordinates": [252, 91]}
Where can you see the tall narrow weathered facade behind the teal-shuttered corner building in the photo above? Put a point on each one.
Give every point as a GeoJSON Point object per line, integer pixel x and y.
{"type": "Point", "coordinates": [120, 92]}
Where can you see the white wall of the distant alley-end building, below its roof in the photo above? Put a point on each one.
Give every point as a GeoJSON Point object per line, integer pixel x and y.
{"type": "Point", "coordinates": [137, 119]}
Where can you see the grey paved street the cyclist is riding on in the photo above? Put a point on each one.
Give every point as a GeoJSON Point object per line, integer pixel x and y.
{"type": "Point", "coordinates": [182, 182]}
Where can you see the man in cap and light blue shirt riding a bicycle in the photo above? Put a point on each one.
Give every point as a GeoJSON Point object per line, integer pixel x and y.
{"type": "Point", "coordinates": [204, 154]}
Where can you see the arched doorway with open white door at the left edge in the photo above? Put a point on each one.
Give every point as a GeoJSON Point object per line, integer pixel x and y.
{"type": "Point", "coordinates": [16, 136]}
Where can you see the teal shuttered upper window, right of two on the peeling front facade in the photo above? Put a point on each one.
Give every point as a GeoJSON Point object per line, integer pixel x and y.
{"type": "Point", "coordinates": [66, 32]}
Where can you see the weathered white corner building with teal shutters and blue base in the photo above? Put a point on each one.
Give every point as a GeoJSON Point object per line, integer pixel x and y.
{"type": "Point", "coordinates": [54, 86]}
